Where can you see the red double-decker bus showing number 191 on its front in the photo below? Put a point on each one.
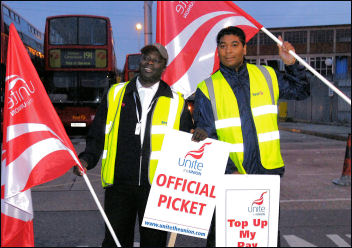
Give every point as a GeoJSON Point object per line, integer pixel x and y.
{"type": "Point", "coordinates": [80, 66]}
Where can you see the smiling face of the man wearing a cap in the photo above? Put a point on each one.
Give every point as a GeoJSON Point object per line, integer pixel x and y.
{"type": "Point", "coordinates": [151, 67]}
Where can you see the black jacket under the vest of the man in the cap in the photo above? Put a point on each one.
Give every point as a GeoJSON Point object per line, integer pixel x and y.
{"type": "Point", "coordinates": [127, 166]}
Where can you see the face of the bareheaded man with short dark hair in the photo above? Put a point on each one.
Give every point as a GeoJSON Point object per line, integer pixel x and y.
{"type": "Point", "coordinates": [231, 51]}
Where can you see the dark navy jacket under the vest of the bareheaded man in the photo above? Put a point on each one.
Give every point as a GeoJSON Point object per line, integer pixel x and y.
{"type": "Point", "coordinates": [293, 85]}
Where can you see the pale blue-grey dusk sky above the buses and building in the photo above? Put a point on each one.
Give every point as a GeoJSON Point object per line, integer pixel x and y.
{"type": "Point", "coordinates": [125, 14]}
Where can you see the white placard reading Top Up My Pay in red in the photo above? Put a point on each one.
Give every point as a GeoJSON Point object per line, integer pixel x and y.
{"type": "Point", "coordinates": [247, 211]}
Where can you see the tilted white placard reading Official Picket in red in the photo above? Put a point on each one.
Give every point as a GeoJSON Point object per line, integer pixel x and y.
{"type": "Point", "coordinates": [184, 189]}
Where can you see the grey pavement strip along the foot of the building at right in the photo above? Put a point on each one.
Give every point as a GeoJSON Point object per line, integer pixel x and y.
{"type": "Point", "coordinates": [337, 132]}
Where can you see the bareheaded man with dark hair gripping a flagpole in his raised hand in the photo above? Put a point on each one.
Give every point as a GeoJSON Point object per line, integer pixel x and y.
{"type": "Point", "coordinates": [238, 105]}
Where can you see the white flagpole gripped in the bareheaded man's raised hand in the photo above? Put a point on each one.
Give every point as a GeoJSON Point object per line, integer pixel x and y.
{"type": "Point", "coordinates": [329, 84]}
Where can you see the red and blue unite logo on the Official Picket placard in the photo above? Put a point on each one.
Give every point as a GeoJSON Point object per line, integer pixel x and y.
{"type": "Point", "coordinates": [193, 166]}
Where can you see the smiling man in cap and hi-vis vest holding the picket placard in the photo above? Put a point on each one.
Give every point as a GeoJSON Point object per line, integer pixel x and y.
{"type": "Point", "coordinates": [128, 130]}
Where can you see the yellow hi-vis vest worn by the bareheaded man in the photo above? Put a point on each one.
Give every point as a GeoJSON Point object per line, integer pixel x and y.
{"type": "Point", "coordinates": [264, 93]}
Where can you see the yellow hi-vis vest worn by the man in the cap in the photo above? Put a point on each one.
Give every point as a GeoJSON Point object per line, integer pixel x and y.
{"type": "Point", "coordinates": [166, 114]}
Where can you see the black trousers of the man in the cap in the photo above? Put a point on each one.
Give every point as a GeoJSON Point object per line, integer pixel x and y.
{"type": "Point", "coordinates": [122, 204]}
